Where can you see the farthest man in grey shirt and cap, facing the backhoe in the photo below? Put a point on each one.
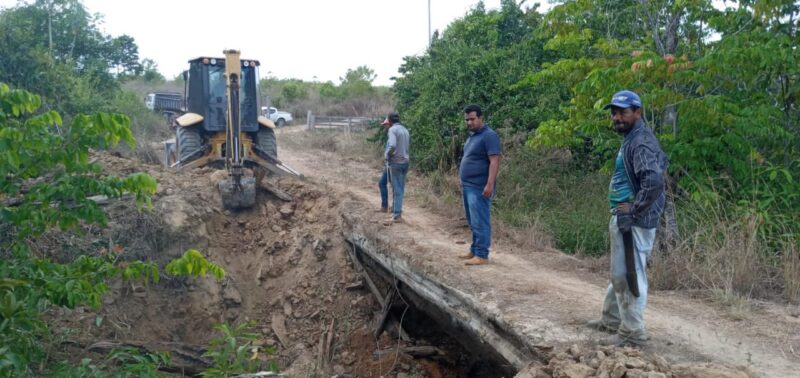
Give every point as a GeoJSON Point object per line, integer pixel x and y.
{"type": "Point", "coordinates": [396, 156]}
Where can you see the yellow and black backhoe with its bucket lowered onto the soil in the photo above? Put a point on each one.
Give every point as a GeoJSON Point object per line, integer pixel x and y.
{"type": "Point", "coordinates": [222, 127]}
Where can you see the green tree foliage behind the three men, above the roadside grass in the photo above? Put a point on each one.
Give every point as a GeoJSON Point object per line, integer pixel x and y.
{"type": "Point", "coordinates": [720, 89]}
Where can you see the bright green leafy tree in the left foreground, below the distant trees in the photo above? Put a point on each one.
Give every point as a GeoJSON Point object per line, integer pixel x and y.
{"type": "Point", "coordinates": [47, 180]}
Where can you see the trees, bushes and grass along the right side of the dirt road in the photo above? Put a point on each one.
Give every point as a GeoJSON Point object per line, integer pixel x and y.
{"type": "Point", "coordinates": [720, 88]}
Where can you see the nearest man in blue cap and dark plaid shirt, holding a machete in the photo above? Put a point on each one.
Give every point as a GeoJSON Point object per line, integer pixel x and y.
{"type": "Point", "coordinates": [636, 199]}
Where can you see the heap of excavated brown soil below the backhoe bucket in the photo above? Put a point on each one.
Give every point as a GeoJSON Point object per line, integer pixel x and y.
{"type": "Point", "coordinates": [287, 272]}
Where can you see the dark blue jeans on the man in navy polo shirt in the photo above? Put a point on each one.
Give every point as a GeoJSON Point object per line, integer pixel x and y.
{"type": "Point", "coordinates": [477, 209]}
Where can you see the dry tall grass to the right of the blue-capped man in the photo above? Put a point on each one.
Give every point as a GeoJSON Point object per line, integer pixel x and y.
{"type": "Point", "coordinates": [722, 251]}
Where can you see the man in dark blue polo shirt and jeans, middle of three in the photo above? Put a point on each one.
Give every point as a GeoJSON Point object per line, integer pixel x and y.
{"type": "Point", "coordinates": [478, 172]}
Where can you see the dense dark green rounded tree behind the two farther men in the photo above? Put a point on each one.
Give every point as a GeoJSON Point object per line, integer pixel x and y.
{"type": "Point", "coordinates": [478, 59]}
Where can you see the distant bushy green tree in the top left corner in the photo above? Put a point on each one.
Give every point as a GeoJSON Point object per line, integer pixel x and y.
{"type": "Point", "coordinates": [54, 48]}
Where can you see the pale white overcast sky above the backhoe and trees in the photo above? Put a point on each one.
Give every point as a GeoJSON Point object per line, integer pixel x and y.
{"type": "Point", "coordinates": [304, 39]}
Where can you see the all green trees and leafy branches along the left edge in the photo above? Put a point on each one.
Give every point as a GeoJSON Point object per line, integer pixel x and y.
{"type": "Point", "coordinates": [48, 179]}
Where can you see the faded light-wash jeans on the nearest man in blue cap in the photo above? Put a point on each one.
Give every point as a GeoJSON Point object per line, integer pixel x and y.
{"type": "Point", "coordinates": [620, 308]}
